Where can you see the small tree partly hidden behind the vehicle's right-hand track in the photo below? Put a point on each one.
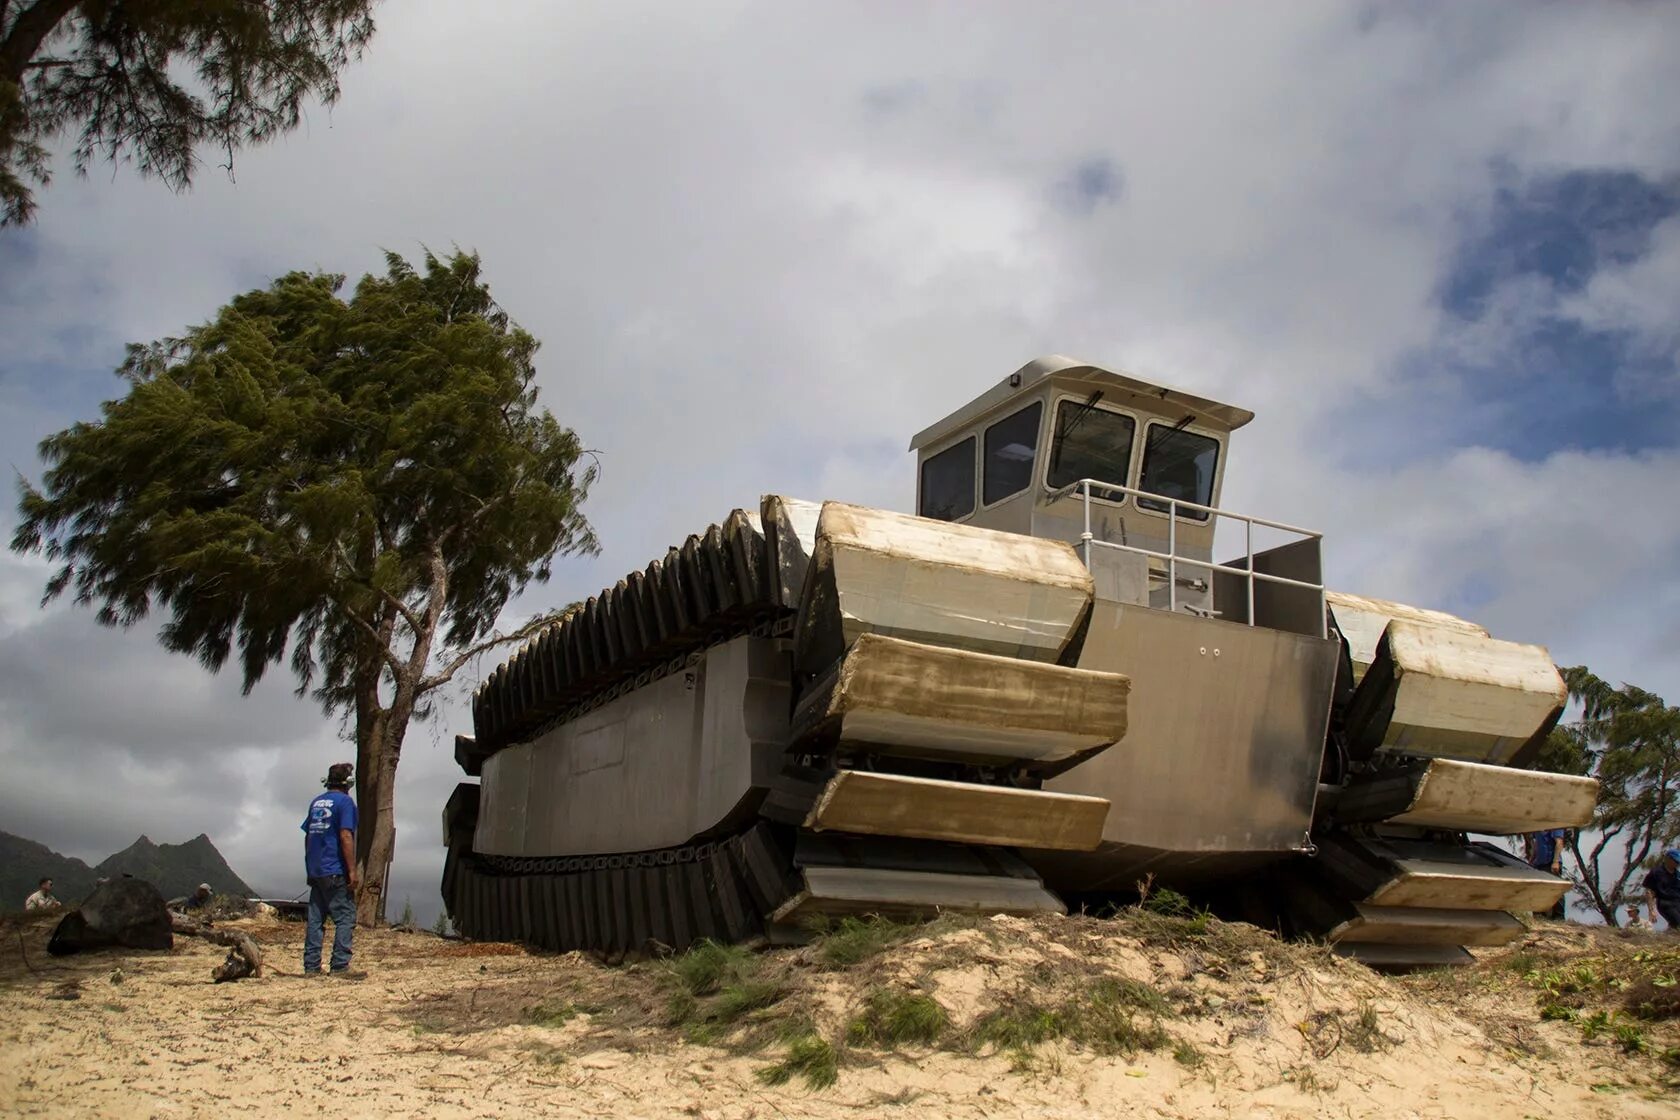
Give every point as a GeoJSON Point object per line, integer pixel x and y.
{"type": "Point", "coordinates": [1630, 741]}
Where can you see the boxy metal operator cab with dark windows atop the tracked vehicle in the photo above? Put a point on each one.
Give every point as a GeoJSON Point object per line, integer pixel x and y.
{"type": "Point", "coordinates": [1068, 451]}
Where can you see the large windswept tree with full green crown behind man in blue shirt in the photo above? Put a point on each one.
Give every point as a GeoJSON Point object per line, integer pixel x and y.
{"type": "Point", "coordinates": [357, 486]}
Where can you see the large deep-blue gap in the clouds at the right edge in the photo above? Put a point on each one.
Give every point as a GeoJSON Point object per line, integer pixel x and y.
{"type": "Point", "coordinates": [1511, 370]}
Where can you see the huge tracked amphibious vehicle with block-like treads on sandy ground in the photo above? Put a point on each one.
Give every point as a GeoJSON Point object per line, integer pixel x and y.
{"type": "Point", "coordinates": [1041, 689]}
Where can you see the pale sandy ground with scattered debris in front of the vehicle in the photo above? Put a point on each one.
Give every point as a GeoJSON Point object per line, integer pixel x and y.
{"type": "Point", "coordinates": [454, 1030]}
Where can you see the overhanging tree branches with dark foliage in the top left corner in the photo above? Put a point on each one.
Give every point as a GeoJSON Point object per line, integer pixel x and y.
{"type": "Point", "coordinates": [152, 81]}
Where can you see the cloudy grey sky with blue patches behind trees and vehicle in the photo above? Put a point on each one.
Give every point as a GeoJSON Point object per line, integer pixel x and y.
{"type": "Point", "coordinates": [1434, 248]}
